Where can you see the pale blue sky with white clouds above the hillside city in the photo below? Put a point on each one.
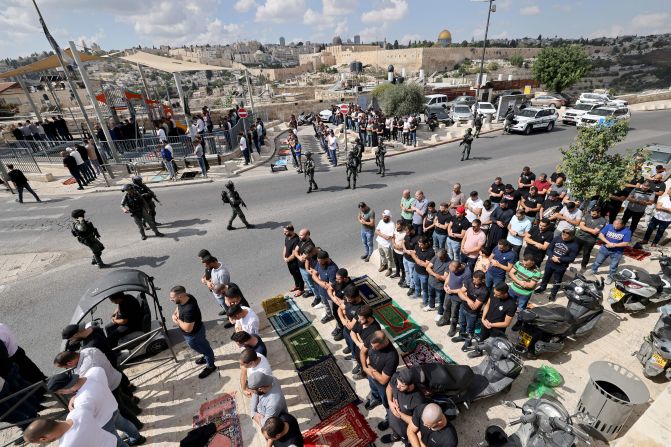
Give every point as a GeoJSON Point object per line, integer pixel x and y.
{"type": "Point", "coordinates": [119, 24]}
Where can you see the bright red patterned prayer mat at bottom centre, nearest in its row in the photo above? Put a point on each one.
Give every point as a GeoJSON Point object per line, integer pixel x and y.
{"type": "Point", "coordinates": [346, 428]}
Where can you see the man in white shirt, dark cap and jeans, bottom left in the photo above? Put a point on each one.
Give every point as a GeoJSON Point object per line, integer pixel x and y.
{"type": "Point", "coordinates": [92, 395]}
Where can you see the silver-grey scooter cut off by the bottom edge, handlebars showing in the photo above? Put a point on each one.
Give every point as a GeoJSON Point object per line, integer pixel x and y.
{"type": "Point", "coordinates": [544, 423]}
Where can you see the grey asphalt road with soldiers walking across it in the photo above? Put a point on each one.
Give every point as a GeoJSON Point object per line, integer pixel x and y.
{"type": "Point", "coordinates": [41, 303]}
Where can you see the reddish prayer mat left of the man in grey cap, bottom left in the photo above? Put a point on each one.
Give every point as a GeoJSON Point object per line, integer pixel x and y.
{"type": "Point", "coordinates": [223, 412]}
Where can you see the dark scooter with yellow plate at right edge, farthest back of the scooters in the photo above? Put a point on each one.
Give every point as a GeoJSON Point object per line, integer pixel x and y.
{"type": "Point", "coordinates": [635, 288]}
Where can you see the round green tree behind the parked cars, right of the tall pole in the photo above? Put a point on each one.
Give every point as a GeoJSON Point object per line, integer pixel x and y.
{"type": "Point", "coordinates": [561, 67]}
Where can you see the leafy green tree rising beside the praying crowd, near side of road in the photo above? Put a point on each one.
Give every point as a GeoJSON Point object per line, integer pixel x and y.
{"type": "Point", "coordinates": [592, 170]}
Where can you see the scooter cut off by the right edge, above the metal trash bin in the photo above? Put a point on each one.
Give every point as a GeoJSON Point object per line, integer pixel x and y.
{"type": "Point", "coordinates": [655, 351]}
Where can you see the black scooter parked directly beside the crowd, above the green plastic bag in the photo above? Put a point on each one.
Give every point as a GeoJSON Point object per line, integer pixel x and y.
{"type": "Point", "coordinates": [545, 328]}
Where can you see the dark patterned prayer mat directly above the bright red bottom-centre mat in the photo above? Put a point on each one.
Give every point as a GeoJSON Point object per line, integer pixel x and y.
{"type": "Point", "coordinates": [327, 387]}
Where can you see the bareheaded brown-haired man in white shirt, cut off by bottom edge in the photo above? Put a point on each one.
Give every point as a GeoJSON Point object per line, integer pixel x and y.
{"type": "Point", "coordinates": [79, 429]}
